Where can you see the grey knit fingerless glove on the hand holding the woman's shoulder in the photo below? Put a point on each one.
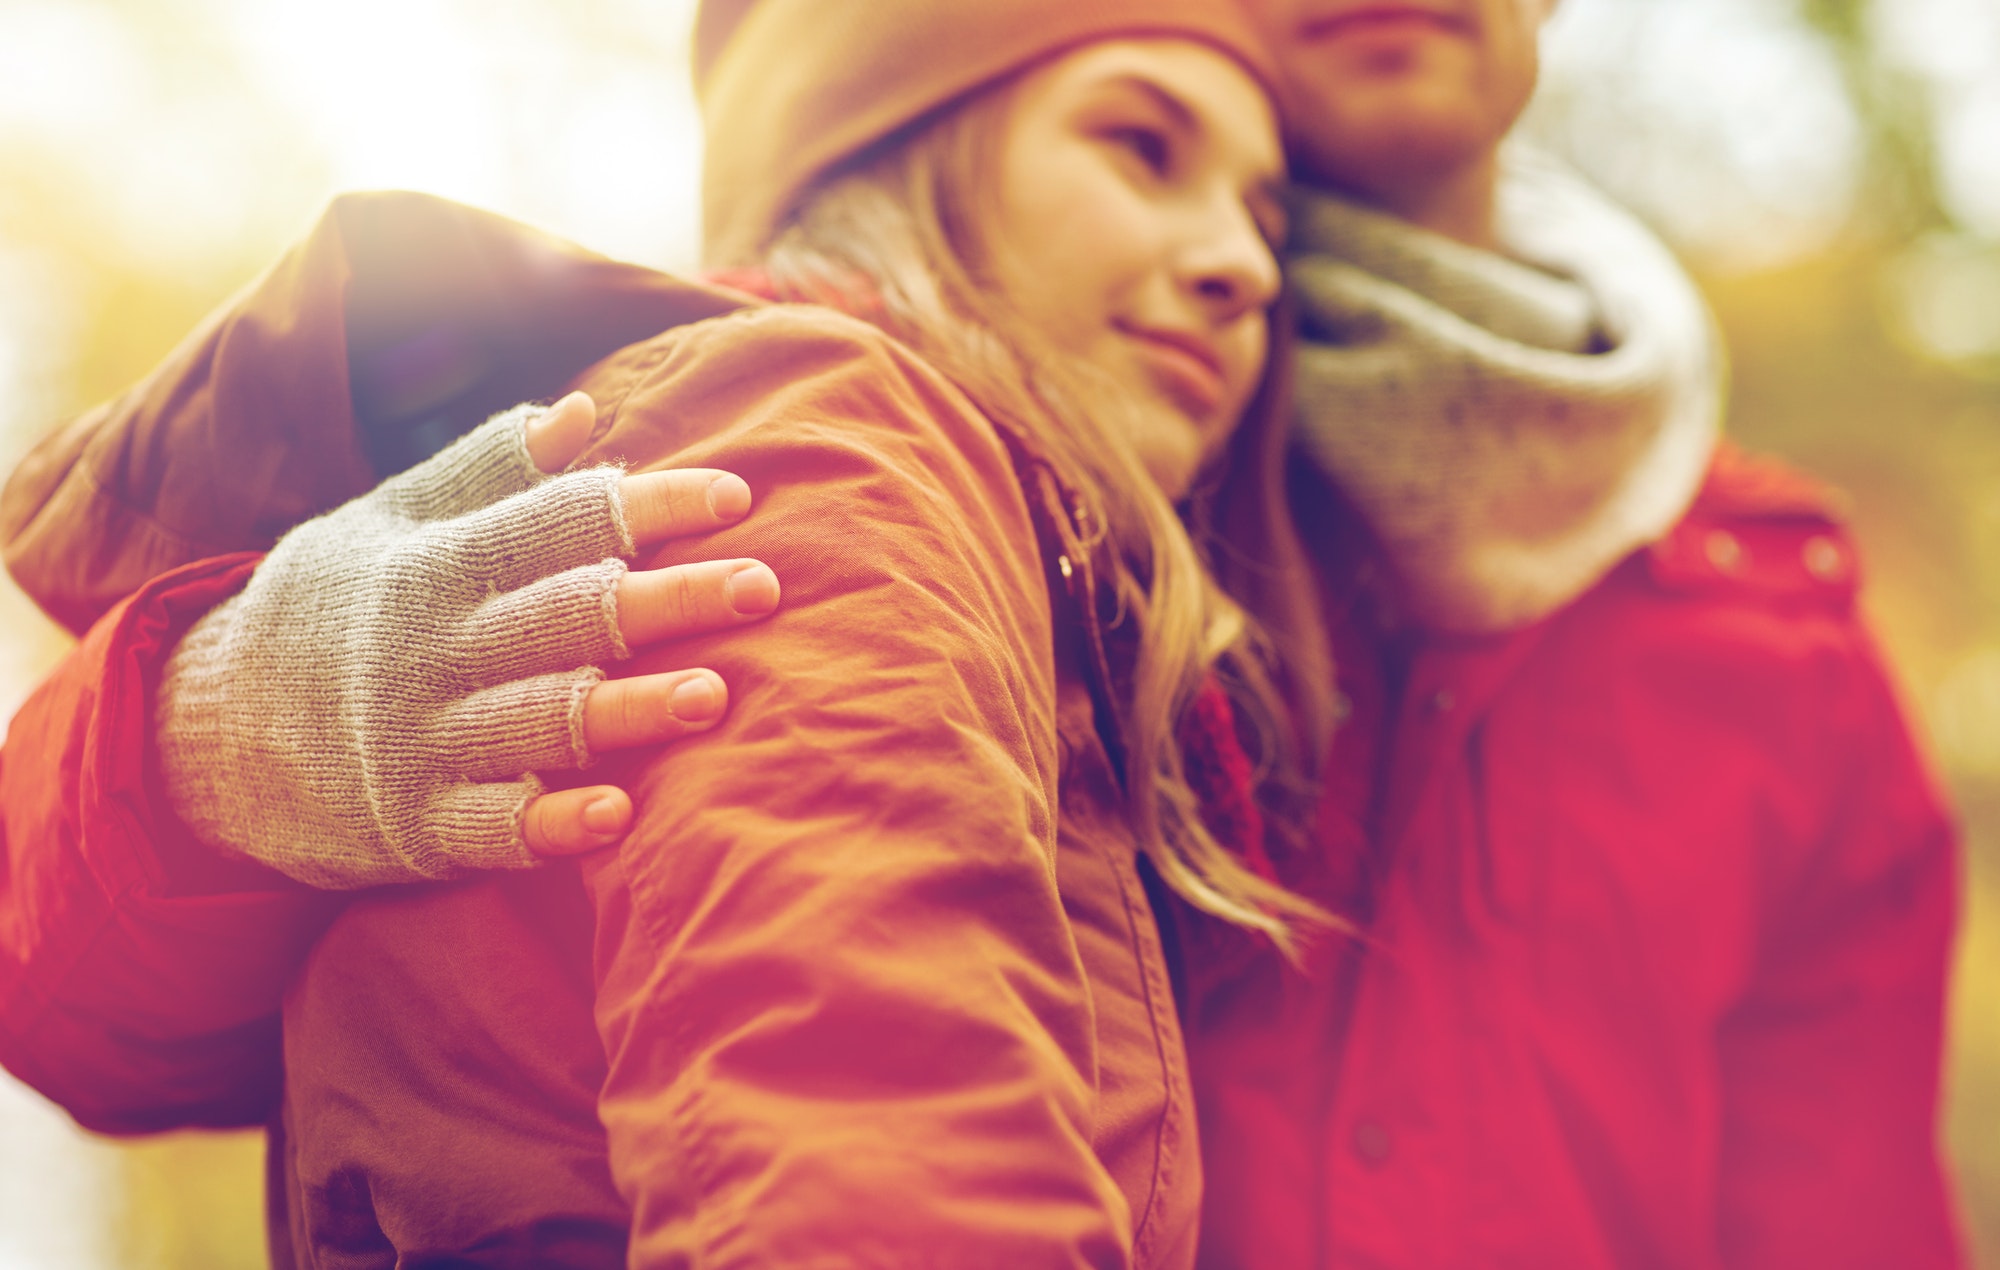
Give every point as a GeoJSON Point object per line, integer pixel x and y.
{"type": "Point", "coordinates": [375, 705]}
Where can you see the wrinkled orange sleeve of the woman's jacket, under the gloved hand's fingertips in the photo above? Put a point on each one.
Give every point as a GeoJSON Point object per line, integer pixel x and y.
{"type": "Point", "coordinates": [845, 1015]}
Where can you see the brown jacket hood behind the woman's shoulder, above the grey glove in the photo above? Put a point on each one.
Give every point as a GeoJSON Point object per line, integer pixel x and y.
{"type": "Point", "coordinates": [397, 325]}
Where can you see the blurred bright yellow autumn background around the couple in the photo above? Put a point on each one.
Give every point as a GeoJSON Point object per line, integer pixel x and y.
{"type": "Point", "coordinates": [1829, 167]}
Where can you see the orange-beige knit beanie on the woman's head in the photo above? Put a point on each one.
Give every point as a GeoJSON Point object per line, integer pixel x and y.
{"type": "Point", "coordinates": [793, 89]}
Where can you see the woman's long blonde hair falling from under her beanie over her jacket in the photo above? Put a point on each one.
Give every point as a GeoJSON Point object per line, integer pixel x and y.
{"type": "Point", "coordinates": [909, 223]}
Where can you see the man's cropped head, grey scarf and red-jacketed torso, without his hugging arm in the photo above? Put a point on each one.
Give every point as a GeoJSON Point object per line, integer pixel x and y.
{"type": "Point", "coordinates": [1655, 893]}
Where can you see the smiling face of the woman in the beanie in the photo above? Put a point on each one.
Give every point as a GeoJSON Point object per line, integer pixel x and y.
{"type": "Point", "coordinates": [1135, 223]}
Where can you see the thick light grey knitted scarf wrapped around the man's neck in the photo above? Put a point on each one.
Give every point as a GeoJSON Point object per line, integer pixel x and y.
{"type": "Point", "coordinates": [1511, 427]}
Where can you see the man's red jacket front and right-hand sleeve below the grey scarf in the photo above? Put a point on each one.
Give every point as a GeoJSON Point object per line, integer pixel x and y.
{"type": "Point", "coordinates": [1659, 899]}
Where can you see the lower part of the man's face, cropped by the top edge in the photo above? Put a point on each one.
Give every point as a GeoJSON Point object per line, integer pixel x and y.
{"type": "Point", "coordinates": [1389, 97]}
